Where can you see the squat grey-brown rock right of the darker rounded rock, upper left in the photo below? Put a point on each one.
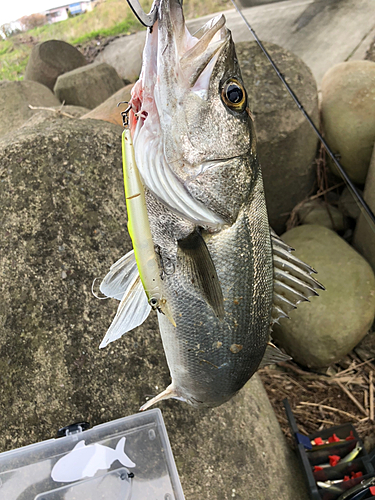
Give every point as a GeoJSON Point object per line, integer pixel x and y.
{"type": "Point", "coordinates": [88, 86]}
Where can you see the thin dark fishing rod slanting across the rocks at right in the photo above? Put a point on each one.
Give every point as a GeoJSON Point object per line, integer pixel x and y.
{"type": "Point", "coordinates": [365, 209]}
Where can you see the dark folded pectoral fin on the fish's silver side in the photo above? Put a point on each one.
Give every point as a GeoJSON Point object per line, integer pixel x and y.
{"type": "Point", "coordinates": [198, 267]}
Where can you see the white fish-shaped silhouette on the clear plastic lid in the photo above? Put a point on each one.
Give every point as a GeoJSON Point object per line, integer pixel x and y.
{"type": "Point", "coordinates": [85, 461]}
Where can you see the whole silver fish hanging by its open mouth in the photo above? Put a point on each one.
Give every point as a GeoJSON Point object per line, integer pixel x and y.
{"type": "Point", "coordinates": [224, 273]}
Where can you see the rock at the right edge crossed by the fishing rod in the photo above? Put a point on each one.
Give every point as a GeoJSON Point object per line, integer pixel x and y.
{"type": "Point", "coordinates": [364, 235]}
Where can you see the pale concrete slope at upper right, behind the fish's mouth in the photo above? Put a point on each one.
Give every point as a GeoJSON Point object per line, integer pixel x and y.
{"type": "Point", "coordinates": [321, 32]}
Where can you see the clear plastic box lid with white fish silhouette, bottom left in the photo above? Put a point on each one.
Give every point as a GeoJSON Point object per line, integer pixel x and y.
{"type": "Point", "coordinates": [126, 459]}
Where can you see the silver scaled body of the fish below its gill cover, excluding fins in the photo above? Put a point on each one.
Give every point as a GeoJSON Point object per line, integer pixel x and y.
{"type": "Point", "coordinates": [209, 359]}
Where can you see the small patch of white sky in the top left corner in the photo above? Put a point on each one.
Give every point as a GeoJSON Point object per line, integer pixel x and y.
{"type": "Point", "coordinates": [11, 10]}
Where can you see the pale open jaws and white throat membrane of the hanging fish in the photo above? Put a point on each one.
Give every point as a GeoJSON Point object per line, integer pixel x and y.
{"type": "Point", "coordinates": [176, 67]}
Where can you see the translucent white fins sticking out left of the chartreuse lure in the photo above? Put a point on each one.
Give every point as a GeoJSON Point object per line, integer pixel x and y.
{"type": "Point", "coordinates": [123, 281]}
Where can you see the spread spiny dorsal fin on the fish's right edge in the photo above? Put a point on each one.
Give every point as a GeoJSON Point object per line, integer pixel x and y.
{"type": "Point", "coordinates": [293, 280]}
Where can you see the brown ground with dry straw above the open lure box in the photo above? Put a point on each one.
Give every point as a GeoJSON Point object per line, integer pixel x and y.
{"type": "Point", "coordinates": [343, 393]}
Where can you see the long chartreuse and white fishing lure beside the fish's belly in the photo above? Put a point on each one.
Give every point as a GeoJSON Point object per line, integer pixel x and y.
{"type": "Point", "coordinates": [139, 229]}
